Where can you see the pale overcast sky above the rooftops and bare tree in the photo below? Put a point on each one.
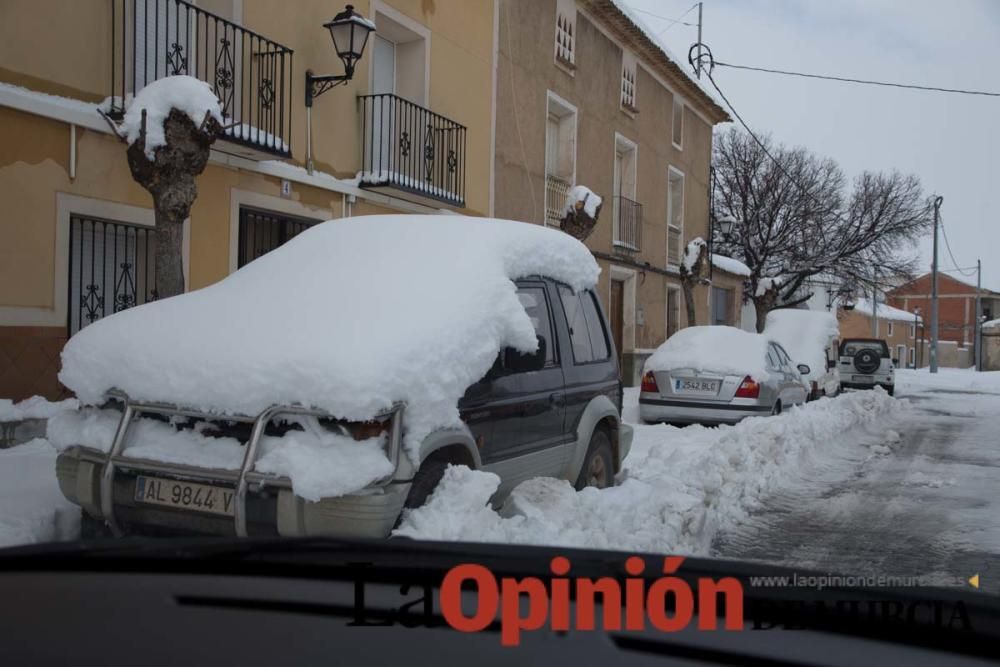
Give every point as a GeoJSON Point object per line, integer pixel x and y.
{"type": "Point", "coordinates": [952, 142]}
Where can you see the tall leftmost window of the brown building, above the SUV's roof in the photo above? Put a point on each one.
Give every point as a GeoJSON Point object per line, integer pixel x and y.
{"type": "Point", "coordinates": [560, 156]}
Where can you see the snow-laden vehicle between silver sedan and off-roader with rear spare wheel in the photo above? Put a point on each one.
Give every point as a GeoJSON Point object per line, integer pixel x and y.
{"type": "Point", "coordinates": [810, 337]}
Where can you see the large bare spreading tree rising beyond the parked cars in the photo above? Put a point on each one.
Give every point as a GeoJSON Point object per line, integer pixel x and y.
{"type": "Point", "coordinates": [797, 220]}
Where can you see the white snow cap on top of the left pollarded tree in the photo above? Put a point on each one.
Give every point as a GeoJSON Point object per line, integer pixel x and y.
{"type": "Point", "coordinates": [184, 93]}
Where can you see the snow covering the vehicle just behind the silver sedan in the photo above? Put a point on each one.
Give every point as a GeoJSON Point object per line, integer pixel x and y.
{"type": "Point", "coordinates": [805, 335]}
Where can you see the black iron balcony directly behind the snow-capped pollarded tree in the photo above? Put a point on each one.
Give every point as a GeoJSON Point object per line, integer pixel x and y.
{"type": "Point", "coordinates": [250, 74]}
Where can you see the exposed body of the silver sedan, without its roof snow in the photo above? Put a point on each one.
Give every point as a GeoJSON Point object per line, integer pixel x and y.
{"type": "Point", "coordinates": [685, 396]}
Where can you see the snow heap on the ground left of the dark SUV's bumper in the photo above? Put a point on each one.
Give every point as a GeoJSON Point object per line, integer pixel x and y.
{"type": "Point", "coordinates": [32, 508]}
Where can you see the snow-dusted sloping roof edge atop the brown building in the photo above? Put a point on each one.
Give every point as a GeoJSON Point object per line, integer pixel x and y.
{"type": "Point", "coordinates": [618, 16]}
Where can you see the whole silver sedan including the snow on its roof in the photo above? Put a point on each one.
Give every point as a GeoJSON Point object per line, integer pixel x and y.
{"type": "Point", "coordinates": [718, 374]}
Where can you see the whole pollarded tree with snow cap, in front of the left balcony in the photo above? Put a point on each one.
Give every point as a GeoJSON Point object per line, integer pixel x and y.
{"type": "Point", "coordinates": [170, 127]}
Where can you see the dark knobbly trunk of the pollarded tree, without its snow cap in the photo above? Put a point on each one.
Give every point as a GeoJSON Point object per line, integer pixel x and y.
{"type": "Point", "coordinates": [170, 178]}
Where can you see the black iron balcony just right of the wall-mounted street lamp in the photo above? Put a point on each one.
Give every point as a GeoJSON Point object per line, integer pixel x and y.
{"type": "Point", "coordinates": [410, 149]}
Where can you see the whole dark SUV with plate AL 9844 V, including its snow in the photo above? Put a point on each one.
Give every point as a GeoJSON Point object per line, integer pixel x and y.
{"type": "Point", "coordinates": [554, 412]}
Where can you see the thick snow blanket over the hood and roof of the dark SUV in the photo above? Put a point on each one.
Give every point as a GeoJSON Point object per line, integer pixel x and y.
{"type": "Point", "coordinates": [350, 316]}
